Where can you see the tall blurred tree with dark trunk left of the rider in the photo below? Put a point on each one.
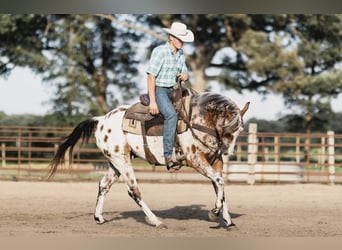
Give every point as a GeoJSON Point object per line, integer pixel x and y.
{"type": "Point", "coordinates": [89, 55]}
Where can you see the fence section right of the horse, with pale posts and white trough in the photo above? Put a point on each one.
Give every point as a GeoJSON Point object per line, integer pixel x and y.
{"type": "Point", "coordinates": [286, 157]}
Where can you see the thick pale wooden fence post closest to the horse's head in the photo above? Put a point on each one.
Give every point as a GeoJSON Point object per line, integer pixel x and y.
{"type": "Point", "coordinates": [252, 152]}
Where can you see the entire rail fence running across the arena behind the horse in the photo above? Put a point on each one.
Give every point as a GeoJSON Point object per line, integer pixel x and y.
{"type": "Point", "coordinates": [259, 158]}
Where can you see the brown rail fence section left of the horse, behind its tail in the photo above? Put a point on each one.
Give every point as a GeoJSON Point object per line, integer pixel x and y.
{"type": "Point", "coordinates": [27, 151]}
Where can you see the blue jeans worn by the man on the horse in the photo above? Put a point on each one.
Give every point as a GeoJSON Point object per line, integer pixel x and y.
{"type": "Point", "coordinates": [166, 108]}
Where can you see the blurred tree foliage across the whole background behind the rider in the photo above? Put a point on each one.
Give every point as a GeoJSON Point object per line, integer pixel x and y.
{"type": "Point", "coordinates": [93, 61]}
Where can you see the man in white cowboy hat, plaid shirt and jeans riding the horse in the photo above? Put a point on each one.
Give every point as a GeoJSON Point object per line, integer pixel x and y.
{"type": "Point", "coordinates": [167, 64]}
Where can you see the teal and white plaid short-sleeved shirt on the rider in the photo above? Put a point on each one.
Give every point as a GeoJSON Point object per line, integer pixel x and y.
{"type": "Point", "coordinates": [165, 66]}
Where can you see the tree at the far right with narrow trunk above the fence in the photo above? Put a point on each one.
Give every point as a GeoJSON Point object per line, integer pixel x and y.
{"type": "Point", "coordinates": [320, 48]}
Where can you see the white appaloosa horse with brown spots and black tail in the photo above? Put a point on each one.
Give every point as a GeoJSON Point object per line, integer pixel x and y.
{"type": "Point", "coordinates": [214, 123]}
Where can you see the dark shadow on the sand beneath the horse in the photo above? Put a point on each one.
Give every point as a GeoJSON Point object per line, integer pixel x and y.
{"type": "Point", "coordinates": [196, 212]}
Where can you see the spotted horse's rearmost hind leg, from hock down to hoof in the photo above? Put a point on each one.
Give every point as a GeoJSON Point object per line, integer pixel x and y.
{"type": "Point", "coordinates": [104, 186]}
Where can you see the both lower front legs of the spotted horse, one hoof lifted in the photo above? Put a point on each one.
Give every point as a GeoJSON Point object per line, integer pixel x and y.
{"type": "Point", "coordinates": [220, 204]}
